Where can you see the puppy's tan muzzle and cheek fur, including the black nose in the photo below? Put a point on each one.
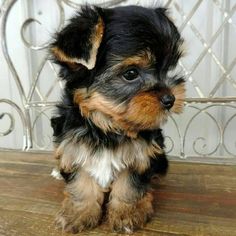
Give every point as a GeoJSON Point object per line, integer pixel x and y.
{"type": "Point", "coordinates": [144, 111]}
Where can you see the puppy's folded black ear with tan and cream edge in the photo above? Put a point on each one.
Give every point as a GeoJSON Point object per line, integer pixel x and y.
{"type": "Point", "coordinates": [78, 42]}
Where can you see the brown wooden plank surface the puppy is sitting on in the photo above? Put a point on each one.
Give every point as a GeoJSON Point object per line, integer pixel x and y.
{"type": "Point", "coordinates": [193, 199]}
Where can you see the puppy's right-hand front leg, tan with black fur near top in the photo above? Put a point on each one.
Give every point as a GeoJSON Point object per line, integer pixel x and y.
{"type": "Point", "coordinates": [130, 205]}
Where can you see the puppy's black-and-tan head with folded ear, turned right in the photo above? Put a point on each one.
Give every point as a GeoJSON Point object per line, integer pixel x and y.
{"type": "Point", "coordinates": [116, 64]}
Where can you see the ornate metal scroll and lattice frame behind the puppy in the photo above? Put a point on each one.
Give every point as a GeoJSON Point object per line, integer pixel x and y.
{"type": "Point", "coordinates": [27, 103]}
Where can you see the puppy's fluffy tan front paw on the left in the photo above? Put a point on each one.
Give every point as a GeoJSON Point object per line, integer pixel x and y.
{"type": "Point", "coordinates": [75, 219]}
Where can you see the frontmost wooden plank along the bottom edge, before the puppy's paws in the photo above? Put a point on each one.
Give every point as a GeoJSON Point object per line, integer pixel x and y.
{"type": "Point", "coordinates": [17, 223]}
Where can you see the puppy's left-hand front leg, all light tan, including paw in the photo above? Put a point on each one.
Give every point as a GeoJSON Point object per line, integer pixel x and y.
{"type": "Point", "coordinates": [81, 207]}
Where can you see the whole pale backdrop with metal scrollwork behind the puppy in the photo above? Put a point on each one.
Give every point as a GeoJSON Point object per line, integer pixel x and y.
{"type": "Point", "coordinates": [30, 87]}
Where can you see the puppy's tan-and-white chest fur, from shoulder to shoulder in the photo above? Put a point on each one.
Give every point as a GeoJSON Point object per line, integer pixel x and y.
{"type": "Point", "coordinates": [105, 164]}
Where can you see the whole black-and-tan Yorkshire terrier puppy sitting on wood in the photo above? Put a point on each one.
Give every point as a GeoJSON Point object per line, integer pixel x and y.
{"type": "Point", "coordinates": [118, 91]}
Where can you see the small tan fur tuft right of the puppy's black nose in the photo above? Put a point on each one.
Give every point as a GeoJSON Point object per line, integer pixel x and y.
{"type": "Point", "coordinates": [179, 93]}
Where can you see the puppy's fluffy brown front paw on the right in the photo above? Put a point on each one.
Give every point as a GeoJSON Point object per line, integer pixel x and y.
{"type": "Point", "coordinates": [124, 217]}
